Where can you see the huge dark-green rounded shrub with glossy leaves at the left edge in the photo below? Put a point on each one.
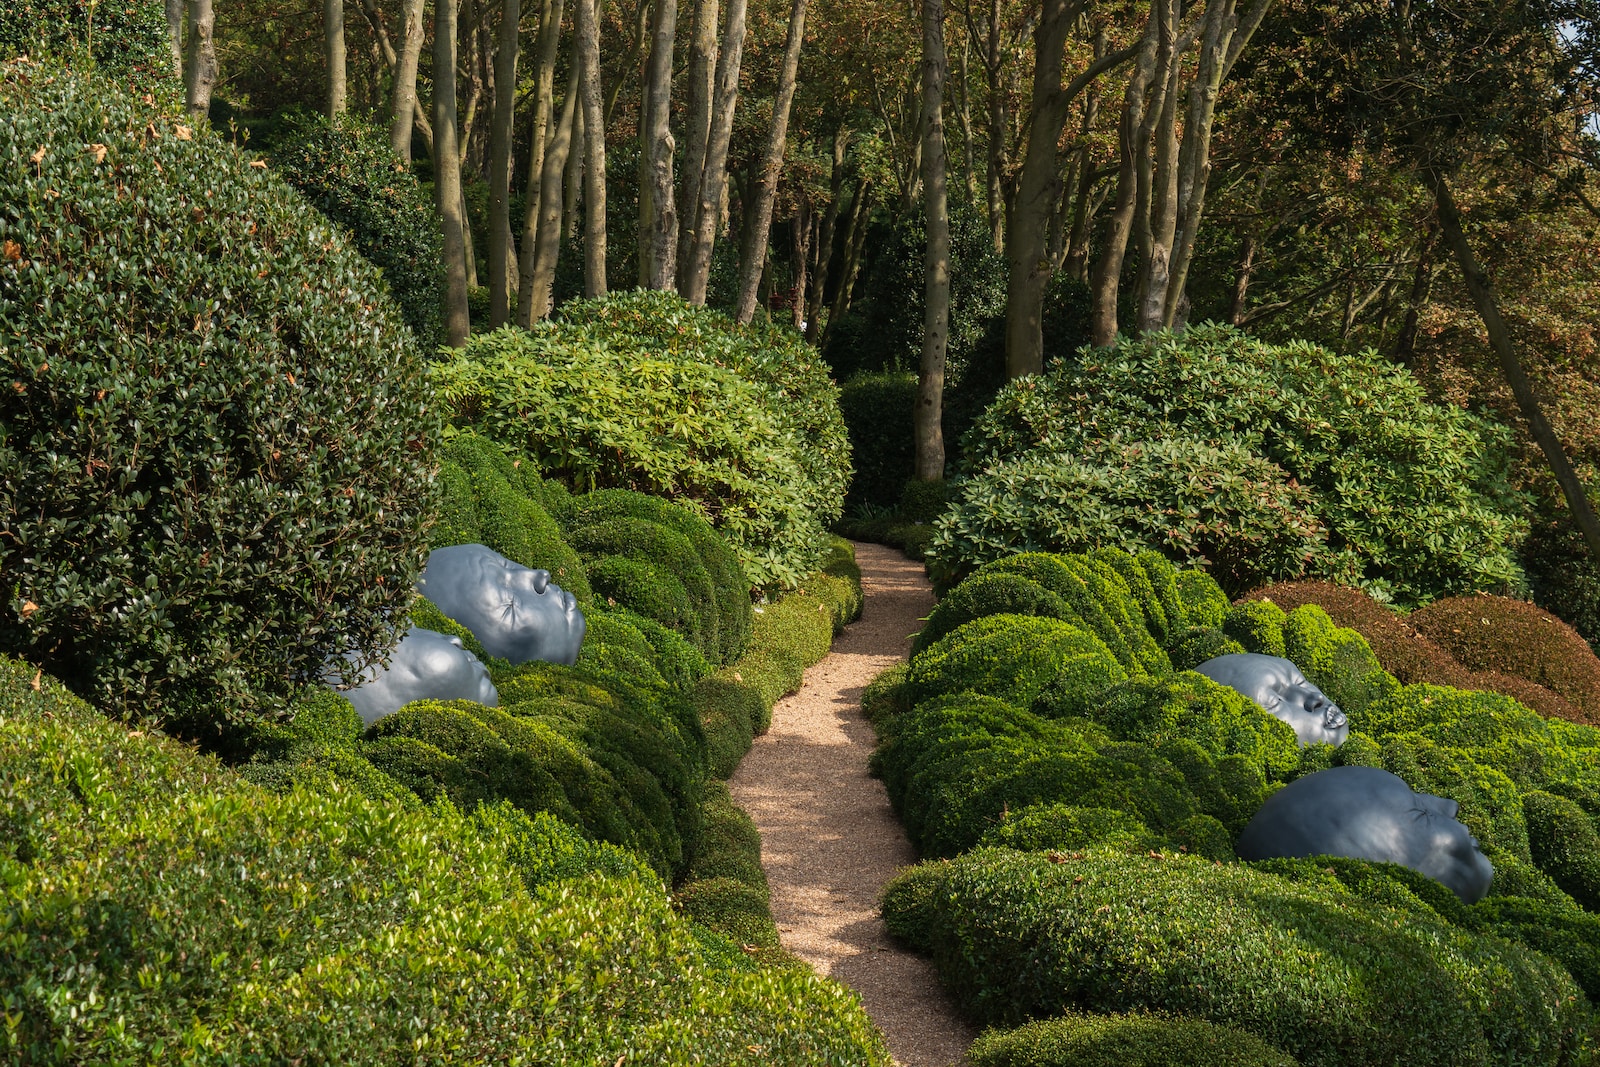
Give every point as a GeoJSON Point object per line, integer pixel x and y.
{"type": "Point", "coordinates": [214, 430]}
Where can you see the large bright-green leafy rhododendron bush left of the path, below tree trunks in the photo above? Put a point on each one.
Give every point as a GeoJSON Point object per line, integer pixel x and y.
{"type": "Point", "coordinates": [642, 391]}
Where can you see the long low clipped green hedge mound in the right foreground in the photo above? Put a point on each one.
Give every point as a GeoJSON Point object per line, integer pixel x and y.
{"type": "Point", "coordinates": [1314, 970]}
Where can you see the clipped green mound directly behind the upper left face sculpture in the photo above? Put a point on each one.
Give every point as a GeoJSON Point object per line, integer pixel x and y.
{"type": "Point", "coordinates": [498, 502]}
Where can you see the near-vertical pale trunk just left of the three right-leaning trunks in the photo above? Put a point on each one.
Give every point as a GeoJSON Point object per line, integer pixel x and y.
{"type": "Point", "coordinates": [658, 214]}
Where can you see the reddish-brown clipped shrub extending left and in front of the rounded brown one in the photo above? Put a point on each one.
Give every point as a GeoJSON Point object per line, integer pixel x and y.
{"type": "Point", "coordinates": [1415, 657]}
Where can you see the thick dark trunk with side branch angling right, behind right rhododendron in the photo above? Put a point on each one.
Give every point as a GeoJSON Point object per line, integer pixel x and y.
{"type": "Point", "coordinates": [1026, 250]}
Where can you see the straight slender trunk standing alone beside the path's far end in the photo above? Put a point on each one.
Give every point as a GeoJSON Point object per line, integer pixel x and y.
{"type": "Point", "coordinates": [937, 260]}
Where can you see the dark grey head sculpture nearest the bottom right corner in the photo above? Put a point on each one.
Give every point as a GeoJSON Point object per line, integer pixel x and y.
{"type": "Point", "coordinates": [1367, 813]}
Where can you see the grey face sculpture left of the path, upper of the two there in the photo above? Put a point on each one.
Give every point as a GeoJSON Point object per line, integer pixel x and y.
{"type": "Point", "coordinates": [513, 610]}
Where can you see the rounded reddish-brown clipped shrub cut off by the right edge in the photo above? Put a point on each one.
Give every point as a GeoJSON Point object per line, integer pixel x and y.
{"type": "Point", "coordinates": [1518, 639]}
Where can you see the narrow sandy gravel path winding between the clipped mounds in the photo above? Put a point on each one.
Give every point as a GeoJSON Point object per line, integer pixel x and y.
{"type": "Point", "coordinates": [831, 841]}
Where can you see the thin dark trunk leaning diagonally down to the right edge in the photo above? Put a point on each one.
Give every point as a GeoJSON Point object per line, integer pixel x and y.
{"type": "Point", "coordinates": [1487, 302]}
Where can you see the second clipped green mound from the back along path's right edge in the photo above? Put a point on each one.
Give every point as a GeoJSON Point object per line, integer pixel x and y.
{"type": "Point", "coordinates": [1009, 657]}
